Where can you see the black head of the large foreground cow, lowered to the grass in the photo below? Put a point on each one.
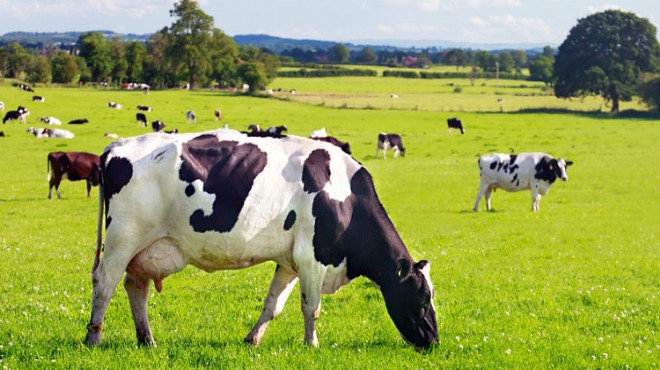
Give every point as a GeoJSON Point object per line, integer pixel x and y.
{"type": "Point", "coordinates": [409, 302]}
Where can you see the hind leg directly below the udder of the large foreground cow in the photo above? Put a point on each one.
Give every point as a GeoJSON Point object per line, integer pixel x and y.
{"type": "Point", "coordinates": [138, 294]}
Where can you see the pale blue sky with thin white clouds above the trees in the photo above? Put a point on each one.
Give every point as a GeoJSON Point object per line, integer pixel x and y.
{"type": "Point", "coordinates": [539, 22]}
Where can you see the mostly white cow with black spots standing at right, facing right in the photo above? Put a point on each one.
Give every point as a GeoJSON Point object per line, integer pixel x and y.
{"type": "Point", "coordinates": [534, 171]}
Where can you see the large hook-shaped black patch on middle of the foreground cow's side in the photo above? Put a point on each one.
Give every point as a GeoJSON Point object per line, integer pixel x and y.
{"type": "Point", "coordinates": [228, 170]}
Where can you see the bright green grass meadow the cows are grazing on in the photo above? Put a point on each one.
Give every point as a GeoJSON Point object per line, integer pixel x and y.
{"type": "Point", "coordinates": [575, 285]}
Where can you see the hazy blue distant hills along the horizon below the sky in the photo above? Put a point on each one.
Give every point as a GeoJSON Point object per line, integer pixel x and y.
{"type": "Point", "coordinates": [273, 43]}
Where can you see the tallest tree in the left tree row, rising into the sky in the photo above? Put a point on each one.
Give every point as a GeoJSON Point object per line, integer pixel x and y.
{"type": "Point", "coordinates": [190, 41]}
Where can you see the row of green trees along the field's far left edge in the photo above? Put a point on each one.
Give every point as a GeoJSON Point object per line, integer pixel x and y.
{"type": "Point", "coordinates": [190, 50]}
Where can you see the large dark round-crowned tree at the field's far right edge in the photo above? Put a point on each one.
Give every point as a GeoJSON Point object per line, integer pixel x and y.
{"type": "Point", "coordinates": [605, 54]}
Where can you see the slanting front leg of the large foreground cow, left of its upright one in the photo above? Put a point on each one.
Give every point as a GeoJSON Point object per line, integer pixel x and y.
{"type": "Point", "coordinates": [280, 288]}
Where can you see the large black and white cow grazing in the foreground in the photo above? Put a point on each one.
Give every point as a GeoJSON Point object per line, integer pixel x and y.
{"type": "Point", "coordinates": [240, 201]}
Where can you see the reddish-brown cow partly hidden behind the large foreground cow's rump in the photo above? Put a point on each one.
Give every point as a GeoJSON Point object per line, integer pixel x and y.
{"type": "Point", "coordinates": [73, 166]}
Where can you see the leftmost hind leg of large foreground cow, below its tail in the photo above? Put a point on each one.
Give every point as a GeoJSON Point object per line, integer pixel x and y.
{"type": "Point", "coordinates": [105, 280]}
